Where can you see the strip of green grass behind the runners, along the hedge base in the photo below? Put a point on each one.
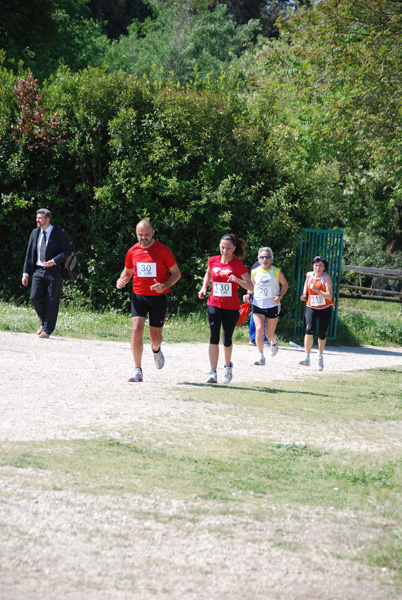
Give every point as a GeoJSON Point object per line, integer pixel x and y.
{"type": "Point", "coordinates": [360, 322]}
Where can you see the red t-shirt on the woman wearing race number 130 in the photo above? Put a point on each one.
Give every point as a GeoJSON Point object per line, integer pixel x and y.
{"type": "Point", "coordinates": [225, 293]}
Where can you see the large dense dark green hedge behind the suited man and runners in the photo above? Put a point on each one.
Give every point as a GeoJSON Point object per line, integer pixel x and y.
{"type": "Point", "coordinates": [126, 150]}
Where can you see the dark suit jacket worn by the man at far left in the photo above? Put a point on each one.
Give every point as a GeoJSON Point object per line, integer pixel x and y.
{"type": "Point", "coordinates": [58, 248]}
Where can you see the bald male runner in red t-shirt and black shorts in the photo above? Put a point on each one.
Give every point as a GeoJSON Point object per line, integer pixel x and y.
{"type": "Point", "coordinates": [154, 271]}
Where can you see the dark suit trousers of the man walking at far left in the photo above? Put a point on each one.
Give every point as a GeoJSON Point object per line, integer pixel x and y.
{"type": "Point", "coordinates": [46, 291]}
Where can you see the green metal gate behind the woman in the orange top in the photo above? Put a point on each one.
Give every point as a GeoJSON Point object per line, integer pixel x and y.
{"type": "Point", "coordinates": [329, 245]}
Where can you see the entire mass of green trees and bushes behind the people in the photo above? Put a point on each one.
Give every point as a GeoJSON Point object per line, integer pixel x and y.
{"type": "Point", "coordinates": [193, 124]}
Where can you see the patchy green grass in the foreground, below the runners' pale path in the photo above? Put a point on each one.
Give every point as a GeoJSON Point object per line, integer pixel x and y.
{"type": "Point", "coordinates": [335, 450]}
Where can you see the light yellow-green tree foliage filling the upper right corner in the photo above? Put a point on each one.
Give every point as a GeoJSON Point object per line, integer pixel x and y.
{"type": "Point", "coordinates": [337, 76]}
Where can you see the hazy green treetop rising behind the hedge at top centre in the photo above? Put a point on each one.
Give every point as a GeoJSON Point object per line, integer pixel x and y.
{"type": "Point", "coordinates": [181, 41]}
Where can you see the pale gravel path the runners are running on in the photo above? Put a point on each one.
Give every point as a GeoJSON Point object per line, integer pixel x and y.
{"type": "Point", "coordinates": [61, 387]}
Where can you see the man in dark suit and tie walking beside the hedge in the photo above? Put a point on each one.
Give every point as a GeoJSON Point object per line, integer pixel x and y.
{"type": "Point", "coordinates": [48, 246]}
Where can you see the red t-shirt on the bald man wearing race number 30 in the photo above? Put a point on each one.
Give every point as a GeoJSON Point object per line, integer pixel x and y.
{"type": "Point", "coordinates": [149, 264]}
